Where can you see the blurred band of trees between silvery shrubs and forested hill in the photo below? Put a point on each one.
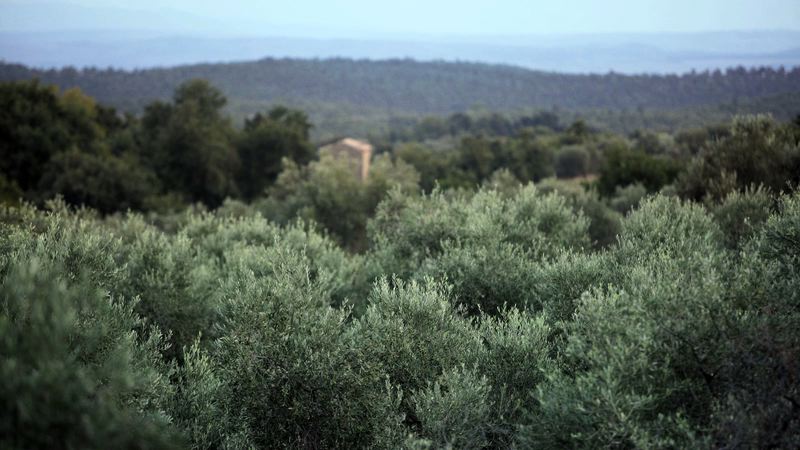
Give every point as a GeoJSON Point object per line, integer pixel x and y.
{"type": "Point", "coordinates": [187, 151]}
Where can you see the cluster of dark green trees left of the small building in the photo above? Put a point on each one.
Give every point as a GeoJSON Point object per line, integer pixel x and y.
{"type": "Point", "coordinates": [185, 150]}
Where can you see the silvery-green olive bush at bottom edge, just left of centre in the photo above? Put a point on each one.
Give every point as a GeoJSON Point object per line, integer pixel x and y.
{"type": "Point", "coordinates": [291, 375]}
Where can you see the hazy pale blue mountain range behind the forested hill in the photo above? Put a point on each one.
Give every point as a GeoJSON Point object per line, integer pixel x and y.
{"type": "Point", "coordinates": [623, 53]}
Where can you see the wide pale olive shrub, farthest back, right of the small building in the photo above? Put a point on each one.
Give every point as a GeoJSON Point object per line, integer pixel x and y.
{"type": "Point", "coordinates": [405, 232]}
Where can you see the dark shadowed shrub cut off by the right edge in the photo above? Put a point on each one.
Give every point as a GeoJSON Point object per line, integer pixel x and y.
{"type": "Point", "coordinates": [758, 403]}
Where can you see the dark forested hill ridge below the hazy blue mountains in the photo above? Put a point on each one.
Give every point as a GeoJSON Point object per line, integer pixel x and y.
{"type": "Point", "coordinates": [410, 87]}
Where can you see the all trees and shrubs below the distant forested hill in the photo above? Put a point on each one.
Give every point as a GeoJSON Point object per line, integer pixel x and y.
{"type": "Point", "coordinates": [498, 283]}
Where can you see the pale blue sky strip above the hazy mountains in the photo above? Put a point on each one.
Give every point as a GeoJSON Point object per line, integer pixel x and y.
{"type": "Point", "coordinates": [440, 17]}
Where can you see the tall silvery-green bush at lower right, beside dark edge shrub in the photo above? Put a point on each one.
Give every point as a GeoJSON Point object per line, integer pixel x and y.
{"type": "Point", "coordinates": [640, 359]}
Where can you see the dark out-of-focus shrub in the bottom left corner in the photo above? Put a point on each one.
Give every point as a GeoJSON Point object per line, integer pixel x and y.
{"type": "Point", "coordinates": [76, 373]}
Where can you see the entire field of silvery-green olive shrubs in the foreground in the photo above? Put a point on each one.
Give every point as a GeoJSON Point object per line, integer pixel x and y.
{"type": "Point", "coordinates": [482, 319]}
